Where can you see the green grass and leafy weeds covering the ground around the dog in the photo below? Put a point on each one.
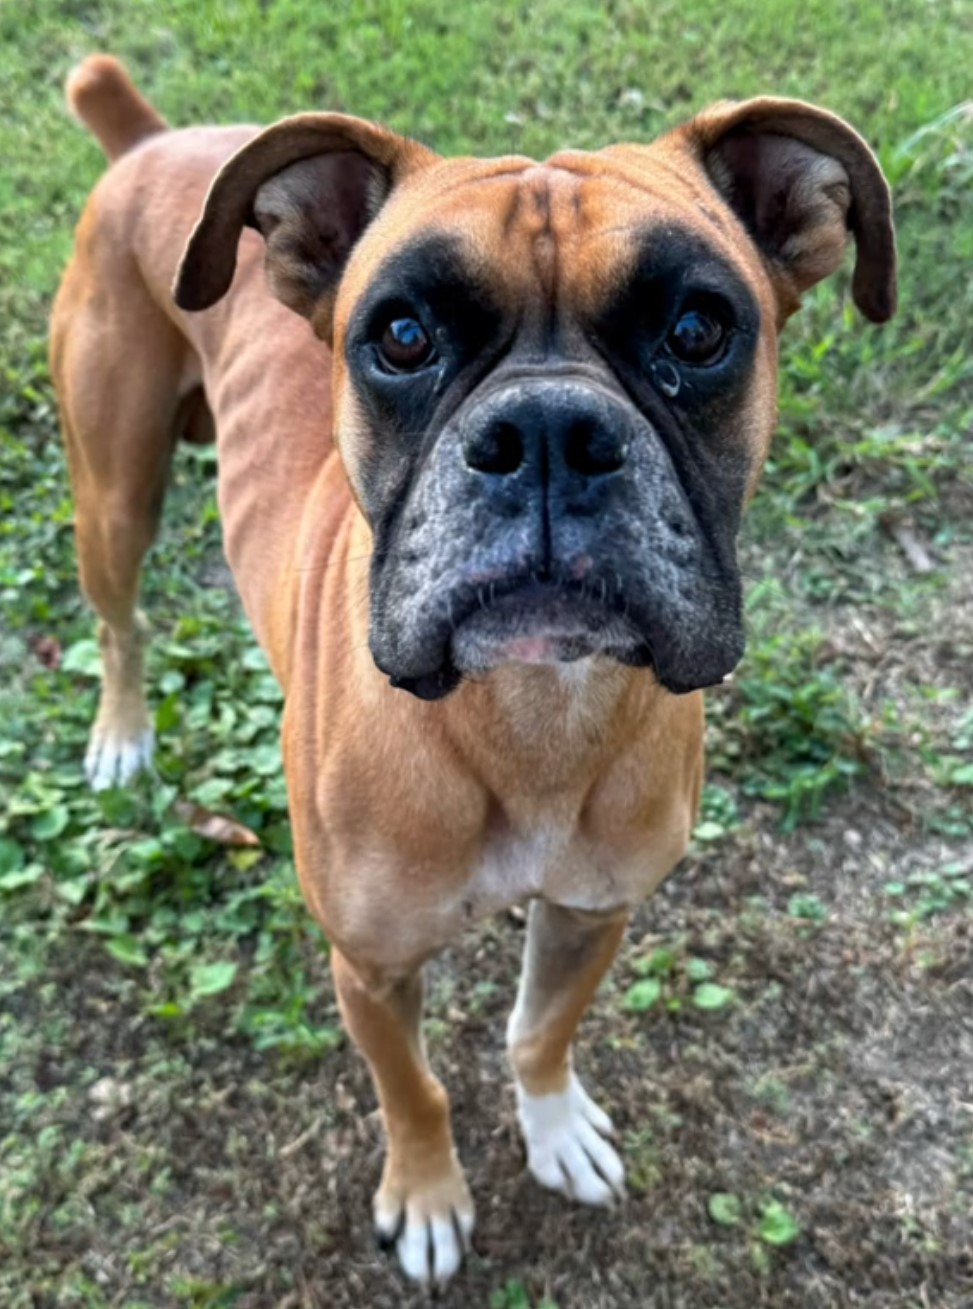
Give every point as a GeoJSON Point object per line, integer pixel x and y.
{"type": "Point", "coordinates": [134, 948]}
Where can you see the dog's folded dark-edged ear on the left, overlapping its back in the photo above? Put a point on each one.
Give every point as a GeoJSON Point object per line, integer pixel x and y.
{"type": "Point", "coordinates": [311, 185]}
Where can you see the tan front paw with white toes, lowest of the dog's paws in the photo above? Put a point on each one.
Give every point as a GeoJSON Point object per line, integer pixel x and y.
{"type": "Point", "coordinates": [430, 1227]}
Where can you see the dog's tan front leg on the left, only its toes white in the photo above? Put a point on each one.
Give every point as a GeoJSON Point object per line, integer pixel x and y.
{"type": "Point", "coordinates": [424, 1206]}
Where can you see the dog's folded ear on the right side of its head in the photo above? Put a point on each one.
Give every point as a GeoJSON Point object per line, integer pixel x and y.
{"type": "Point", "coordinates": [799, 180]}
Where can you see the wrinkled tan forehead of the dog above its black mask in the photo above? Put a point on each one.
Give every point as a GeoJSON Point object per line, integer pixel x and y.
{"type": "Point", "coordinates": [573, 228]}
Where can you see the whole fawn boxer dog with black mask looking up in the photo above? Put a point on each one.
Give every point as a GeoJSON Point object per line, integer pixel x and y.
{"type": "Point", "coordinates": [483, 519]}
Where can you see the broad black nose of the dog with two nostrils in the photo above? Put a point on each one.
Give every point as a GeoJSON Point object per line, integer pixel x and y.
{"type": "Point", "coordinates": [551, 431]}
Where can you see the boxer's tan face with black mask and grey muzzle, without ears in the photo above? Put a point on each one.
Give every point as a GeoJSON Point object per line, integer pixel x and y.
{"type": "Point", "coordinates": [553, 389]}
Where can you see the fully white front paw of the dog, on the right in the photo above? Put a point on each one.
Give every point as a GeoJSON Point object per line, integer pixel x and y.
{"type": "Point", "coordinates": [566, 1145]}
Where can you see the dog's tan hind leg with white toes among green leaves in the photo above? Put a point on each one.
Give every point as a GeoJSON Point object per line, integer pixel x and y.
{"type": "Point", "coordinates": [117, 365]}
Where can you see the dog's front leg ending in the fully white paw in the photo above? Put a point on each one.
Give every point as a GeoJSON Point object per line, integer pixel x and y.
{"type": "Point", "coordinates": [566, 1134]}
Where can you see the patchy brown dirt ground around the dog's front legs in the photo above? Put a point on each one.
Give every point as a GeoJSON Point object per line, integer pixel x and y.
{"type": "Point", "coordinates": [841, 1083]}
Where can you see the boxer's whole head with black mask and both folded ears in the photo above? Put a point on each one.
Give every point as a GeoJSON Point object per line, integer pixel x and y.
{"type": "Point", "coordinates": [555, 383]}
